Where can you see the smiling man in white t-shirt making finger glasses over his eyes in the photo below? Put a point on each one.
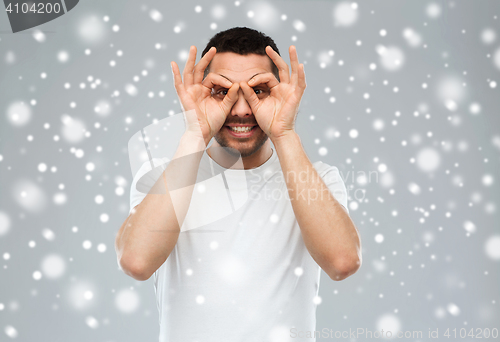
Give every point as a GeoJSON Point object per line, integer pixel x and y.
{"type": "Point", "coordinates": [252, 274]}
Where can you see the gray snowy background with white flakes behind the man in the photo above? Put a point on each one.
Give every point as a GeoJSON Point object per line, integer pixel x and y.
{"type": "Point", "coordinates": [431, 270]}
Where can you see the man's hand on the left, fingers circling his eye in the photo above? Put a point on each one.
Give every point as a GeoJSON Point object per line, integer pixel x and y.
{"type": "Point", "coordinates": [204, 114]}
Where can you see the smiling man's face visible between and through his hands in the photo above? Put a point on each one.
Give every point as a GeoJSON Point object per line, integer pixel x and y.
{"type": "Point", "coordinates": [237, 68]}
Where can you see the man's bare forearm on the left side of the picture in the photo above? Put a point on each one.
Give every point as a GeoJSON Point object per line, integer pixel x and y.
{"type": "Point", "coordinates": [151, 231]}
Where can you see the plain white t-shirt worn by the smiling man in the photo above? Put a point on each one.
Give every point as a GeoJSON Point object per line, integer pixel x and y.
{"type": "Point", "coordinates": [240, 270]}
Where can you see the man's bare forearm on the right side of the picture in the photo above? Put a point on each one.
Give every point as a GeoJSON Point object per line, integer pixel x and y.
{"type": "Point", "coordinates": [327, 230]}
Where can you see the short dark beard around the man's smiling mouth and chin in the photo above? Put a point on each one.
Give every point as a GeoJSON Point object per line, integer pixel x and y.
{"type": "Point", "coordinates": [245, 147]}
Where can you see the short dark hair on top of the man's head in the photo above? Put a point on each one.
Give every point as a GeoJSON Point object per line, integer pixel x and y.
{"type": "Point", "coordinates": [243, 41]}
